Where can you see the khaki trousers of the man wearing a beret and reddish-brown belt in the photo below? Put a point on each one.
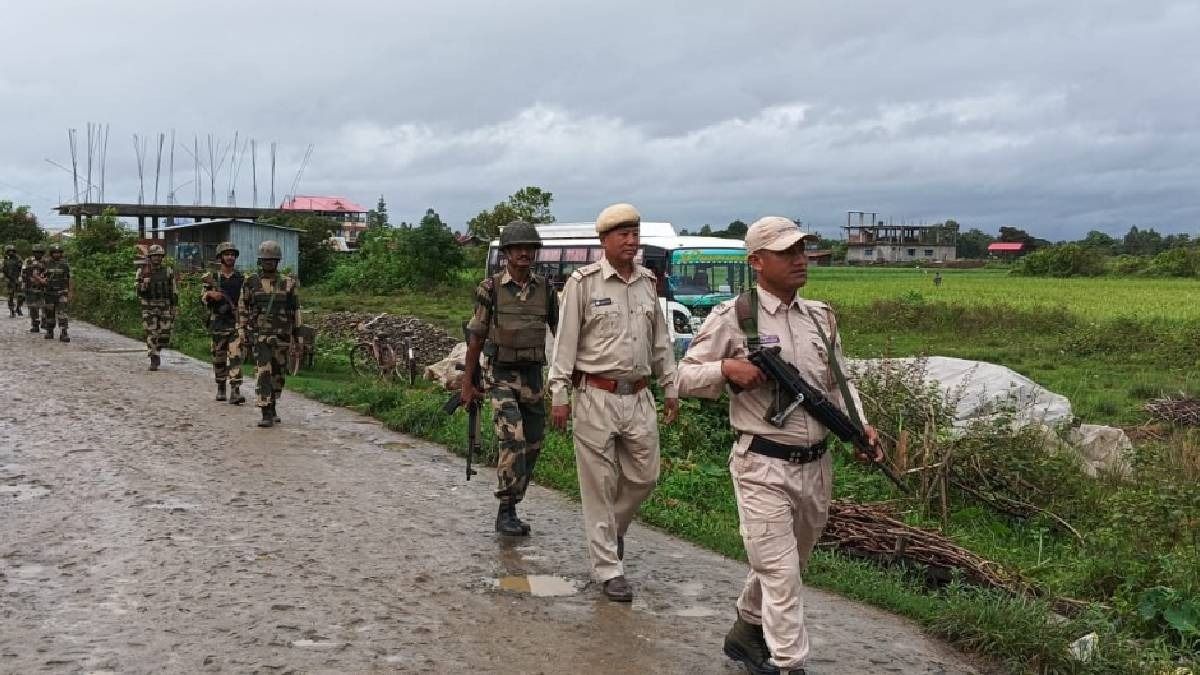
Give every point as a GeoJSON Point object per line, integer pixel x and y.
{"type": "Point", "coordinates": [617, 458]}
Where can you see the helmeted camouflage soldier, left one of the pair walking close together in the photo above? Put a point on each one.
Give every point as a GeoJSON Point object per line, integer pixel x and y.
{"type": "Point", "coordinates": [223, 290]}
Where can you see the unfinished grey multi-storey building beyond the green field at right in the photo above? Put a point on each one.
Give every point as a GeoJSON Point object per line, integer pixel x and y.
{"type": "Point", "coordinates": [872, 241]}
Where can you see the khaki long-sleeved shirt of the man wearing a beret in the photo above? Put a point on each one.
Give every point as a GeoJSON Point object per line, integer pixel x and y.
{"type": "Point", "coordinates": [611, 328]}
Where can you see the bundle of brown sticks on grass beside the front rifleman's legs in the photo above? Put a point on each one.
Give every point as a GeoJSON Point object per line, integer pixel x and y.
{"type": "Point", "coordinates": [871, 531]}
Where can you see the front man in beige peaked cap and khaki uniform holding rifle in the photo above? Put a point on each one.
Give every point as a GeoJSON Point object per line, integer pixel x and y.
{"type": "Point", "coordinates": [782, 476]}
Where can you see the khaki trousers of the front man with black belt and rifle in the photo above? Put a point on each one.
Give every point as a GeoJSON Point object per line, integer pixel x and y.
{"type": "Point", "coordinates": [783, 509]}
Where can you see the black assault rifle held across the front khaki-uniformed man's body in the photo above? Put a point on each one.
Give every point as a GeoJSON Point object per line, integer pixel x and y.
{"type": "Point", "coordinates": [794, 392]}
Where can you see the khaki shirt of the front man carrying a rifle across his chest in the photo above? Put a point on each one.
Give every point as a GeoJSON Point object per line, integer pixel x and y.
{"type": "Point", "coordinates": [791, 328]}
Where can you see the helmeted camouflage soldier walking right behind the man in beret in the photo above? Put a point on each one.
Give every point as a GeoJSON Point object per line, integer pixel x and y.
{"type": "Point", "coordinates": [513, 312]}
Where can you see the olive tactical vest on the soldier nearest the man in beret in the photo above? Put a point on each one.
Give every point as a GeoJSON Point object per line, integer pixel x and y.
{"type": "Point", "coordinates": [519, 328]}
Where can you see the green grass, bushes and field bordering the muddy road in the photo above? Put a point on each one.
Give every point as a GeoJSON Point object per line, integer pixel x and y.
{"type": "Point", "coordinates": [1108, 344]}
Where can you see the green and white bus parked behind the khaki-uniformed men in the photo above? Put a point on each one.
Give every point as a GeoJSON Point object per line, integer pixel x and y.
{"type": "Point", "coordinates": [695, 273]}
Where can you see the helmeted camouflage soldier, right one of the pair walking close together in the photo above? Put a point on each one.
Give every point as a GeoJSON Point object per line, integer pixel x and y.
{"type": "Point", "coordinates": [268, 315]}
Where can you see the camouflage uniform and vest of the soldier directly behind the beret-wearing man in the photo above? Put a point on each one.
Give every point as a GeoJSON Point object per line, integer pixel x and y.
{"type": "Point", "coordinates": [514, 320]}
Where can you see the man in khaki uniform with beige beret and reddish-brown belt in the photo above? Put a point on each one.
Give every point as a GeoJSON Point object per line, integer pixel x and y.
{"type": "Point", "coordinates": [611, 338]}
